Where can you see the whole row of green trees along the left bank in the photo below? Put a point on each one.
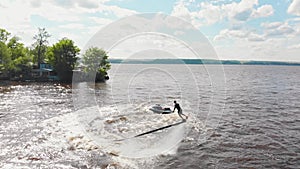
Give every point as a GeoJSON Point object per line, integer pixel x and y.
{"type": "Point", "coordinates": [17, 61]}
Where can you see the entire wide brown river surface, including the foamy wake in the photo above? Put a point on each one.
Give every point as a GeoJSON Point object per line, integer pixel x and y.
{"type": "Point", "coordinates": [239, 117]}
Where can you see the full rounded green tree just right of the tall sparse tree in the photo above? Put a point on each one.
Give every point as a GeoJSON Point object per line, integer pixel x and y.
{"type": "Point", "coordinates": [63, 57]}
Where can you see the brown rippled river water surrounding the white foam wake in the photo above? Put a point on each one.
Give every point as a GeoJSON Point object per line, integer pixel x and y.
{"type": "Point", "coordinates": [256, 122]}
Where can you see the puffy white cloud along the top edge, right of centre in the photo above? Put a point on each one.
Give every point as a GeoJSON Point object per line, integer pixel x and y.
{"type": "Point", "coordinates": [211, 12]}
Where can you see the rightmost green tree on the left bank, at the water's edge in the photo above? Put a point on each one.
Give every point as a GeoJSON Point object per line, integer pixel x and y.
{"type": "Point", "coordinates": [95, 62]}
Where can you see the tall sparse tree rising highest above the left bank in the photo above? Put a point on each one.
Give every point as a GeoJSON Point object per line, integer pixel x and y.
{"type": "Point", "coordinates": [40, 45]}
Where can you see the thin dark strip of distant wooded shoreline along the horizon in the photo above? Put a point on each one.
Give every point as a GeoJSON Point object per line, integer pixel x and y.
{"type": "Point", "coordinates": [201, 61]}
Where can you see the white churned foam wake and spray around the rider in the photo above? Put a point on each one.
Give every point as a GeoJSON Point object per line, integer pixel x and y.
{"type": "Point", "coordinates": [95, 128]}
